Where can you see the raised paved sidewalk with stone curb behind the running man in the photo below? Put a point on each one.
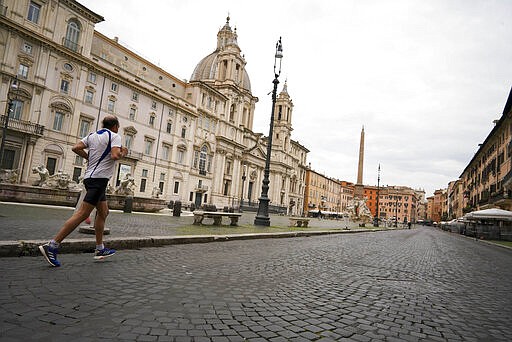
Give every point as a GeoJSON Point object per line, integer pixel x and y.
{"type": "Point", "coordinates": [24, 226]}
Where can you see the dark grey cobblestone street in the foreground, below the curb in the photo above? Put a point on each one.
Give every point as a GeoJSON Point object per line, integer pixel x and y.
{"type": "Point", "coordinates": [404, 285]}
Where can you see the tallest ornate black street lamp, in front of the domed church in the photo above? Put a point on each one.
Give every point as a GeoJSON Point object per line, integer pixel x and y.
{"type": "Point", "coordinates": [262, 217]}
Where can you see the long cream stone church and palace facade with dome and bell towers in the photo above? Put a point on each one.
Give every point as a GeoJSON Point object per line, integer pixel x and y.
{"type": "Point", "coordinates": [192, 141]}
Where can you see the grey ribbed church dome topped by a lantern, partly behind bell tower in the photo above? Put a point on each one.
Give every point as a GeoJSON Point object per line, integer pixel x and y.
{"type": "Point", "coordinates": [207, 68]}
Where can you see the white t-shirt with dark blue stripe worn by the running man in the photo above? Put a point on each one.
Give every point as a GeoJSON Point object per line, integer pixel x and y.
{"type": "Point", "coordinates": [100, 164]}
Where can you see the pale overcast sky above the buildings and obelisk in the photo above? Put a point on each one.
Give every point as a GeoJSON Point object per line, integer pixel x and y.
{"type": "Point", "coordinates": [425, 78]}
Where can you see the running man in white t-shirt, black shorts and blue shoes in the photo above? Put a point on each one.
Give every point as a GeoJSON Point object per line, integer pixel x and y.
{"type": "Point", "coordinates": [104, 148]}
